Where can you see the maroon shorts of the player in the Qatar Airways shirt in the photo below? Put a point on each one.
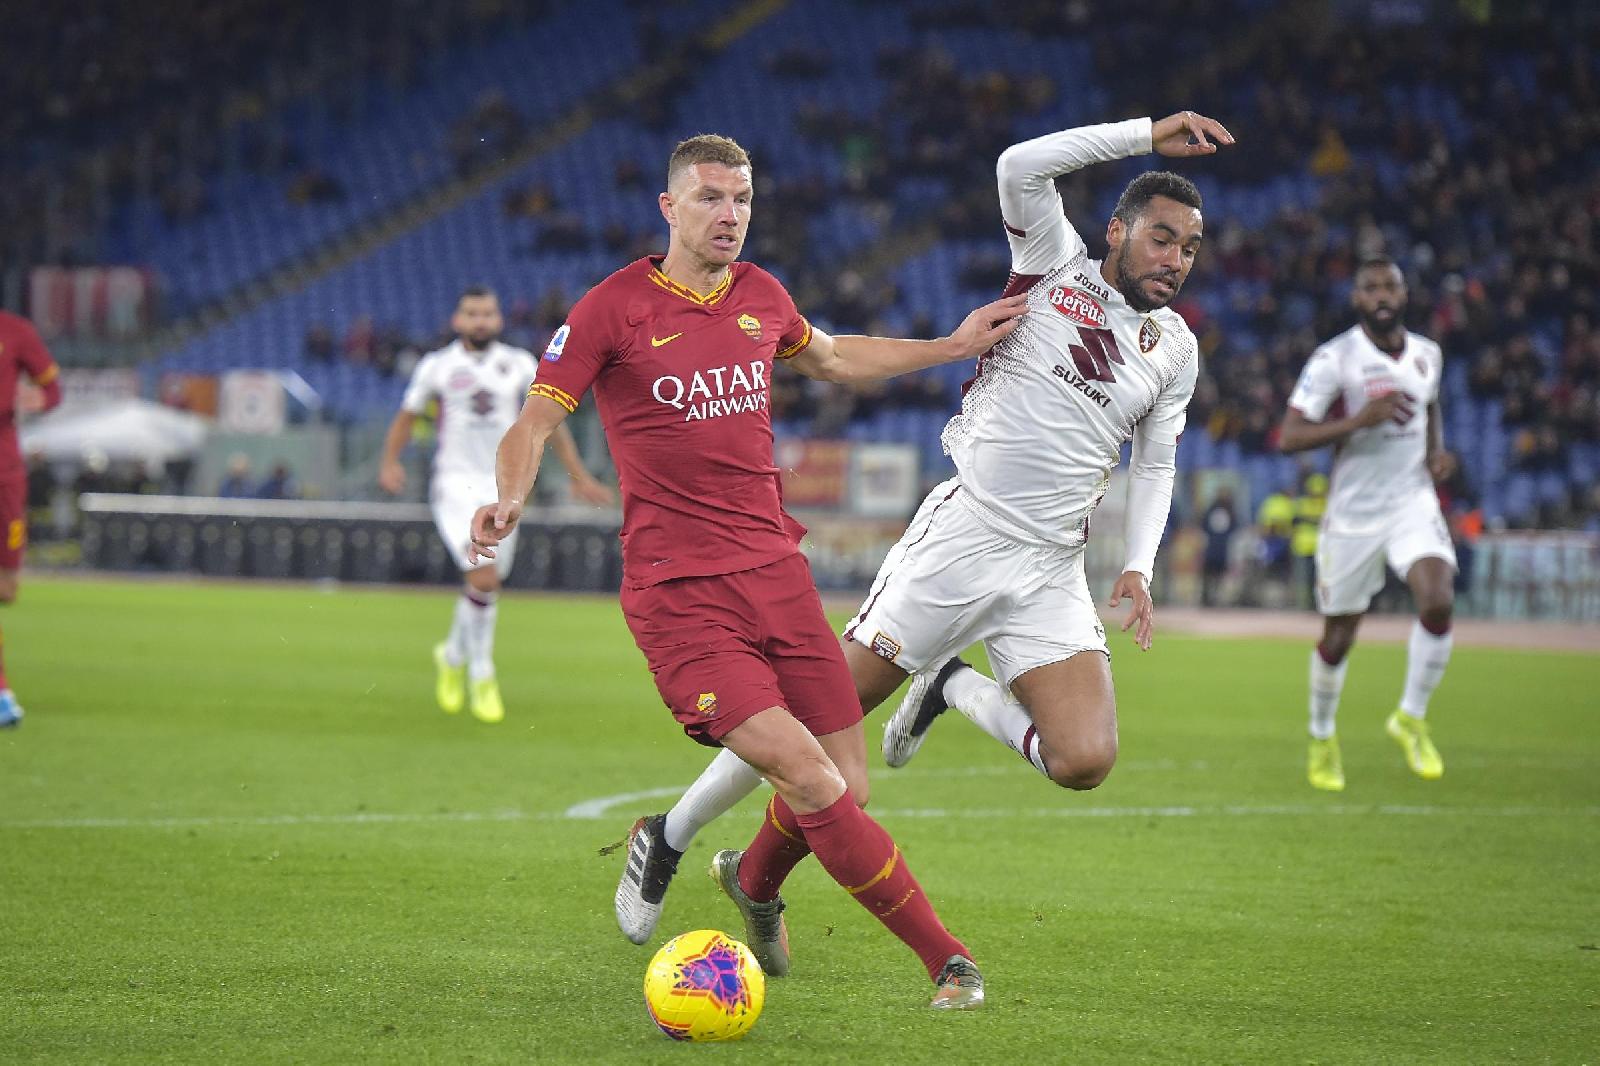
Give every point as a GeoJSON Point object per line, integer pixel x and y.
{"type": "Point", "coordinates": [730, 646]}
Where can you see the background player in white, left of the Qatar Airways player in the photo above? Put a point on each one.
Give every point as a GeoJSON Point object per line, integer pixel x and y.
{"type": "Point", "coordinates": [479, 385]}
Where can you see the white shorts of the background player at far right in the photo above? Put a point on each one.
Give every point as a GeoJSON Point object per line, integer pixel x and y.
{"type": "Point", "coordinates": [1351, 567]}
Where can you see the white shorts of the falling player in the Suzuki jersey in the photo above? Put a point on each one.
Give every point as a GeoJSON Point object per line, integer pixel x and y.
{"type": "Point", "coordinates": [954, 580]}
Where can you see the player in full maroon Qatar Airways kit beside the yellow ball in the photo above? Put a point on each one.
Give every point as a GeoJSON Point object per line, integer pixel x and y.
{"type": "Point", "coordinates": [681, 353]}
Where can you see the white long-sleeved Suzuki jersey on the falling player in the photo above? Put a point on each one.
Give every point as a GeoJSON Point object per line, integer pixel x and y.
{"type": "Point", "coordinates": [1044, 422]}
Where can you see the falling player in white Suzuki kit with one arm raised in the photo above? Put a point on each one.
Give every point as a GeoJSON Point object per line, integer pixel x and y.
{"type": "Point", "coordinates": [996, 555]}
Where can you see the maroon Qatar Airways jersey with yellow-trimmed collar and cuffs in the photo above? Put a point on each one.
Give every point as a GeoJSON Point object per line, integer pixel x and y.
{"type": "Point", "coordinates": [682, 383]}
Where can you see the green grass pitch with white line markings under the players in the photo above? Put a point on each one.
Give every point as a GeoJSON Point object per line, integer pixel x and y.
{"type": "Point", "coordinates": [234, 828]}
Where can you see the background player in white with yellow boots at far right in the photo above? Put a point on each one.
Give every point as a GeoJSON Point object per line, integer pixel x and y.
{"type": "Point", "coordinates": [1361, 393]}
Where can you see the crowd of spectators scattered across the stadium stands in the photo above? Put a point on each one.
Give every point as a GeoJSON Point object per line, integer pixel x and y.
{"type": "Point", "coordinates": [1468, 151]}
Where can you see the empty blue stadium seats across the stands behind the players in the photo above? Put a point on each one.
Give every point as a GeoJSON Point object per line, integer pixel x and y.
{"type": "Point", "coordinates": [410, 284]}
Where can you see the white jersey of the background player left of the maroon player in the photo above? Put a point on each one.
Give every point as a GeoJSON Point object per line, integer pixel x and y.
{"type": "Point", "coordinates": [479, 398]}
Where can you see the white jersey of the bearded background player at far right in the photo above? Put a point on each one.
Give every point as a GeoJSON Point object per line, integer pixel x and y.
{"type": "Point", "coordinates": [1380, 470]}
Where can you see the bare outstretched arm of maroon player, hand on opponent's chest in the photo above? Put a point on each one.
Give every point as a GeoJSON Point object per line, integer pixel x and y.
{"type": "Point", "coordinates": [852, 359]}
